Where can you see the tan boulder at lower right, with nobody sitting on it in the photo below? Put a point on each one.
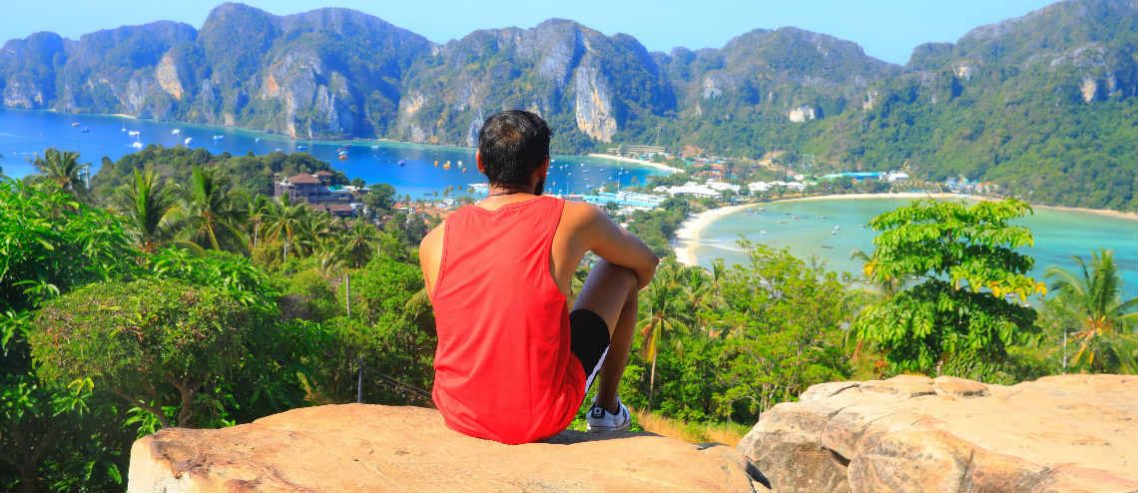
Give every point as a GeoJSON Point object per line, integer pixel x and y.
{"type": "Point", "coordinates": [912, 433]}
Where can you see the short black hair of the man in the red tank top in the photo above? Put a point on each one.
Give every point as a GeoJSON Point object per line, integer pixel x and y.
{"type": "Point", "coordinates": [513, 145]}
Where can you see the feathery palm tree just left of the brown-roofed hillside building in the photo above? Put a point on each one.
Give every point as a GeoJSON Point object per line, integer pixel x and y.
{"type": "Point", "coordinates": [210, 215]}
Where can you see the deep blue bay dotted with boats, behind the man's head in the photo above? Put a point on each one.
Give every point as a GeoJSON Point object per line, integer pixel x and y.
{"type": "Point", "coordinates": [24, 134]}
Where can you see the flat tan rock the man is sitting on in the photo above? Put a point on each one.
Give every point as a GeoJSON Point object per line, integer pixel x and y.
{"type": "Point", "coordinates": [357, 448]}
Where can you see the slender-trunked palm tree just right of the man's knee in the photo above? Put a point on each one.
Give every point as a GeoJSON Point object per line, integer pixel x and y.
{"type": "Point", "coordinates": [664, 301]}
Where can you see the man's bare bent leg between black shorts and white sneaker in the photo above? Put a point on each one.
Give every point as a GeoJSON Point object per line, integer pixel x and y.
{"type": "Point", "coordinates": [611, 292]}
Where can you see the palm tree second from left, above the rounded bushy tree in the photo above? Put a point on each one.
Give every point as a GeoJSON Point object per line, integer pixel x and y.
{"type": "Point", "coordinates": [149, 204]}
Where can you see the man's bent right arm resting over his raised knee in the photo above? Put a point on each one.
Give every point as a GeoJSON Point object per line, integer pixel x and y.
{"type": "Point", "coordinates": [615, 244]}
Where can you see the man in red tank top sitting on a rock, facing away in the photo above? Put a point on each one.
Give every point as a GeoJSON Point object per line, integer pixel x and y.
{"type": "Point", "coordinates": [514, 364]}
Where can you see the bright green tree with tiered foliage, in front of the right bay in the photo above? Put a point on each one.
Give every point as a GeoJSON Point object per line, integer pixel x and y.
{"type": "Point", "coordinates": [959, 318]}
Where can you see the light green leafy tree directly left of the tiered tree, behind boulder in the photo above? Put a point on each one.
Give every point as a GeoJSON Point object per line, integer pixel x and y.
{"type": "Point", "coordinates": [787, 328]}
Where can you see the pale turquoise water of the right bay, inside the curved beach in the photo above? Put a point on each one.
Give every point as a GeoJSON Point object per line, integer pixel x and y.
{"type": "Point", "coordinates": [832, 229]}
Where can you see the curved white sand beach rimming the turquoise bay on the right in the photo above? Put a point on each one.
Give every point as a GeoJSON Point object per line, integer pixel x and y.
{"type": "Point", "coordinates": [690, 234]}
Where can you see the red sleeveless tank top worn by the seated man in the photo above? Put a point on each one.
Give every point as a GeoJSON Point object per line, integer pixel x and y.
{"type": "Point", "coordinates": [504, 371]}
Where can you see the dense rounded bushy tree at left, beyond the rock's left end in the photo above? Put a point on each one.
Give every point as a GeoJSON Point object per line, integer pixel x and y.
{"type": "Point", "coordinates": [153, 343]}
